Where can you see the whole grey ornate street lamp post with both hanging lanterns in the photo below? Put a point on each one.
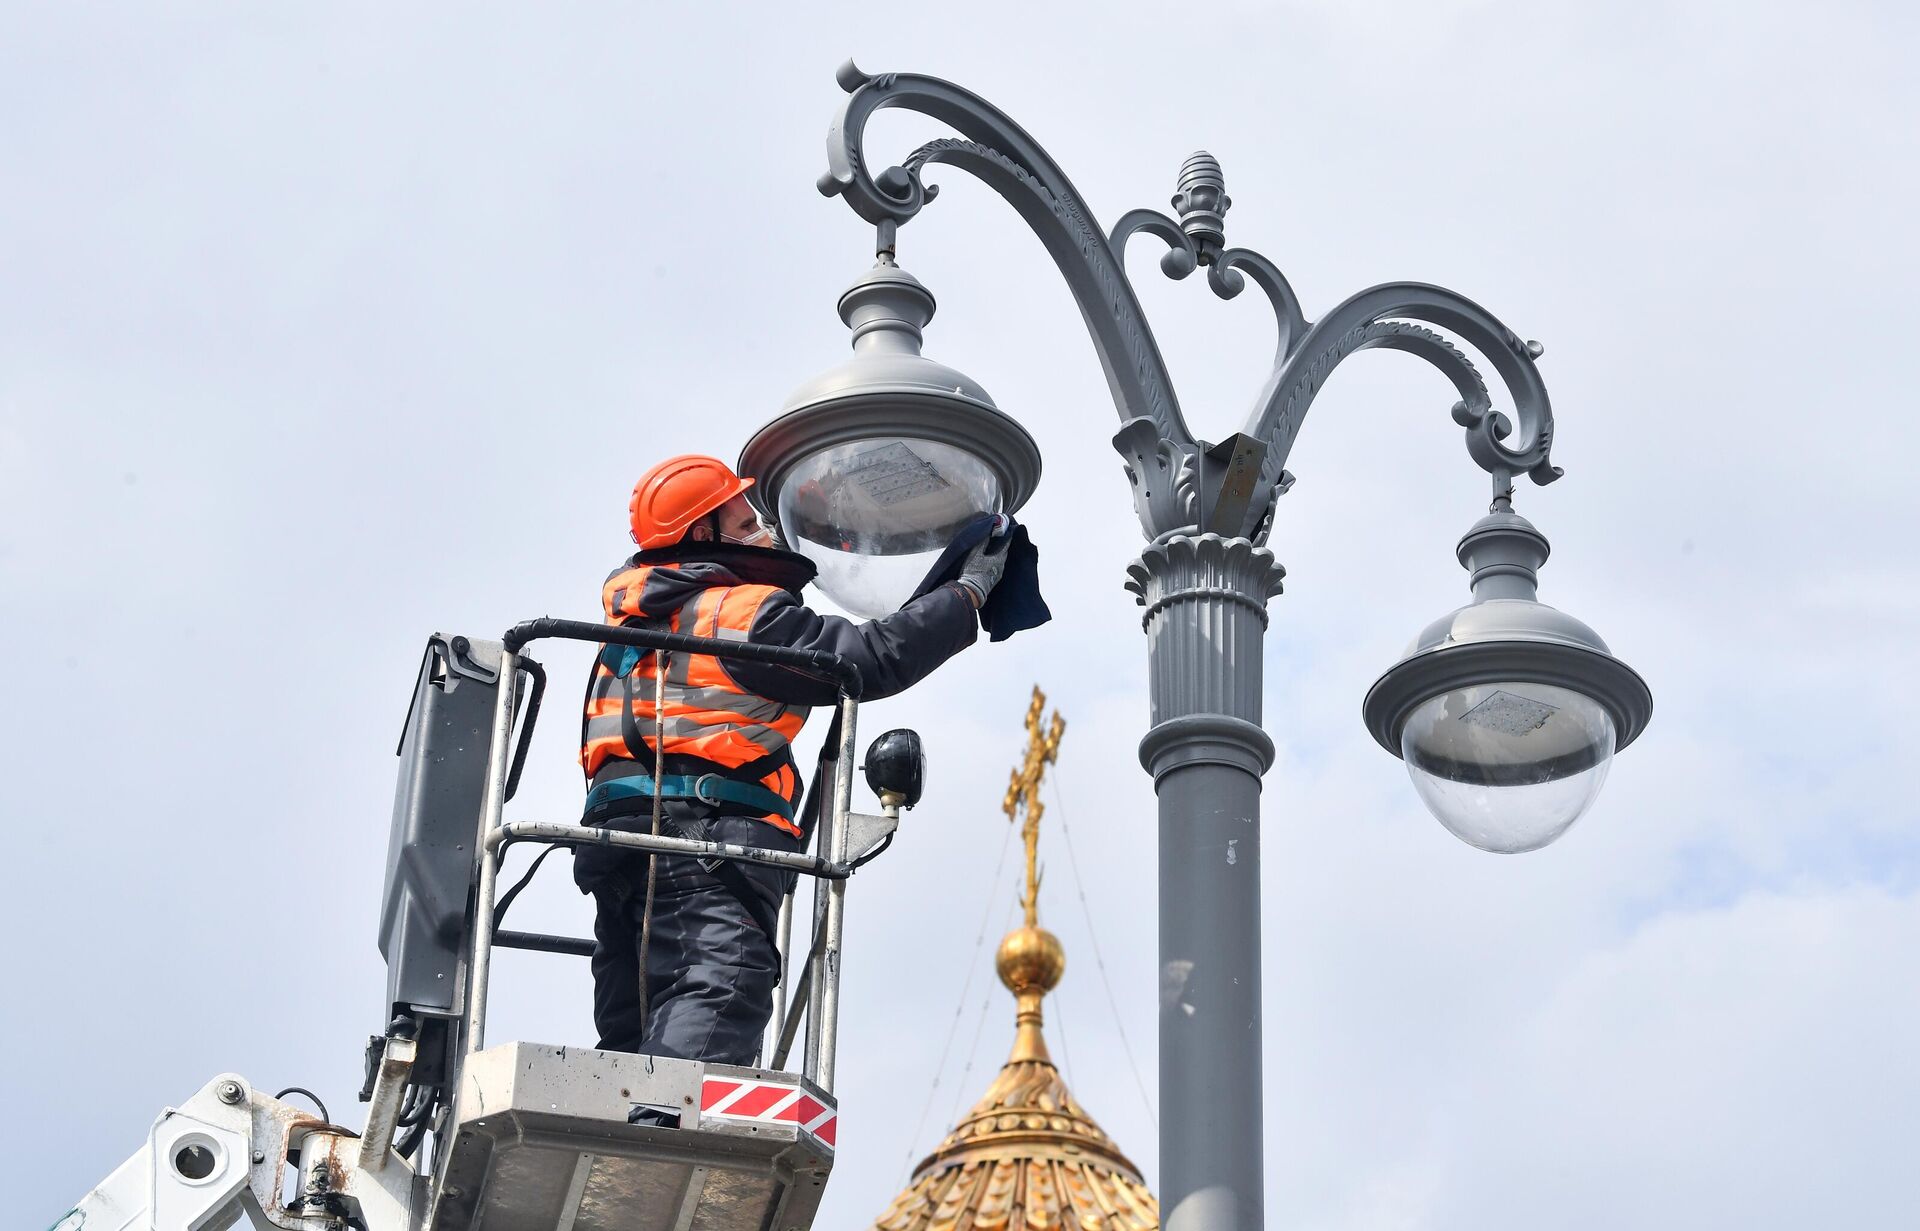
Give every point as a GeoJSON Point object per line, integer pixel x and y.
{"type": "Point", "coordinates": [1506, 712]}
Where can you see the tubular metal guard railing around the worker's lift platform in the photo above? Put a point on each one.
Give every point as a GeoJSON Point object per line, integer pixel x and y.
{"type": "Point", "coordinates": [817, 996]}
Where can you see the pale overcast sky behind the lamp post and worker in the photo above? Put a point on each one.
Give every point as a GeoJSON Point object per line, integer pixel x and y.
{"type": "Point", "coordinates": [324, 327]}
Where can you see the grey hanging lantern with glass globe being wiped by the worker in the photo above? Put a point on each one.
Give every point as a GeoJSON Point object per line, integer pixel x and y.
{"type": "Point", "coordinates": [875, 466]}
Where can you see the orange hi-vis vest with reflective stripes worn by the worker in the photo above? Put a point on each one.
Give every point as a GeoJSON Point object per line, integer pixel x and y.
{"type": "Point", "coordinates": [708, 715]}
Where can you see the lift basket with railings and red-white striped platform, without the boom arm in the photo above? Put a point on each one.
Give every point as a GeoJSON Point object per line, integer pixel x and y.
{"type": "Point", "coordinates": [542, 1136]}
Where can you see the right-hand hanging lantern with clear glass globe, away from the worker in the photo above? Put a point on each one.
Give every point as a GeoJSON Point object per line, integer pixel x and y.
{"type": "Point", "coordinates": [1508, 712]}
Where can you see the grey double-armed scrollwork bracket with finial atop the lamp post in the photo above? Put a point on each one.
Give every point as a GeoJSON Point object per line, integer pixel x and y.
{"type": "Point", "coordinates": [1180, 483]}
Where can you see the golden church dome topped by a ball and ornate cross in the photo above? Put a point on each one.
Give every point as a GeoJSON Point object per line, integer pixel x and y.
{"type": "Point", "coordinates": [1028, 1157]}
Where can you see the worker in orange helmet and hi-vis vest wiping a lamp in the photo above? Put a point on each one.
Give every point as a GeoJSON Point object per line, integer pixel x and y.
{"type": "Point", "coordinates": [709, 567]}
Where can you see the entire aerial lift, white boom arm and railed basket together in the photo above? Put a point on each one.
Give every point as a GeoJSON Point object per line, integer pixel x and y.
{"type": "Point", "coordinates": [523, 1136]}
